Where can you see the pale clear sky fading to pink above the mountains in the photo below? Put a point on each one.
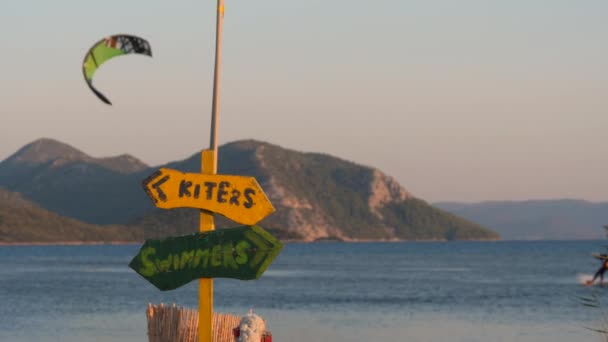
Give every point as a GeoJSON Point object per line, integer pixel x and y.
{"type": "Point", "coordinates": [468, 100]}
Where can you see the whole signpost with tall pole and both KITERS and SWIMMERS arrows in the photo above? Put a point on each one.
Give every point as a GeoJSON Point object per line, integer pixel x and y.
{"type": "Point", "coordinates": [242, 253]}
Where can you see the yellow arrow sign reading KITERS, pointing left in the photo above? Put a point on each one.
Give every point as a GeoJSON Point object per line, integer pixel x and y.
{"type": "Point", "coordinates": [239, 198]}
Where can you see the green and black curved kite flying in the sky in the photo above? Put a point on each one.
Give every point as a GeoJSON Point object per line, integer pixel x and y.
{"type": "Point", "coordinates": [109, 48]}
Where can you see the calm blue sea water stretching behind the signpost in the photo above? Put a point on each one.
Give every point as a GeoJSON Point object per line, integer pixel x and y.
{"type": "Point", "coordinates": [457, 291]}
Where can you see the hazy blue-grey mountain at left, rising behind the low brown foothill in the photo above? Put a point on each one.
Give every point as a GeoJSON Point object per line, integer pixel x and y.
{"type": "Point", "coordinates": [67, 181]}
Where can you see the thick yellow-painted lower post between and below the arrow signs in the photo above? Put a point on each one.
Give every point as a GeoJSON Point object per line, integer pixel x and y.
{"type": "Point", "coordinates": [205, 285]}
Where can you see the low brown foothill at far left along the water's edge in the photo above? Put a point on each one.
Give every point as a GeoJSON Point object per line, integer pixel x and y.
{"type": "Point", "coordinates": [23, 221]}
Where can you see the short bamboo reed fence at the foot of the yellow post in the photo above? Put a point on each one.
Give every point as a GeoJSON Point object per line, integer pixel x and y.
{"type": "Point", "coordinates": [169, 323]}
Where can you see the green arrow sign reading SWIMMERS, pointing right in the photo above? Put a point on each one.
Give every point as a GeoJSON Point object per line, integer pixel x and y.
{"type": "Point", "coordinates": [240, 253]}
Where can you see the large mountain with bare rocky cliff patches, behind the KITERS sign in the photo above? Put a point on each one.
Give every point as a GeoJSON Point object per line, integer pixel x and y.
{"type": "Point", "coordinates": [320, 197]}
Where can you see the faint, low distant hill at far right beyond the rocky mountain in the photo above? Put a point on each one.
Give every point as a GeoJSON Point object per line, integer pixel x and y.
{"type": "Point", "coordinates": [539, 219]}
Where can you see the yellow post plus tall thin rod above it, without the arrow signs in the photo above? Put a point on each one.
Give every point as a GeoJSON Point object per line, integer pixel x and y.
{"type": "Point", "coordinates": [209, 166]}
